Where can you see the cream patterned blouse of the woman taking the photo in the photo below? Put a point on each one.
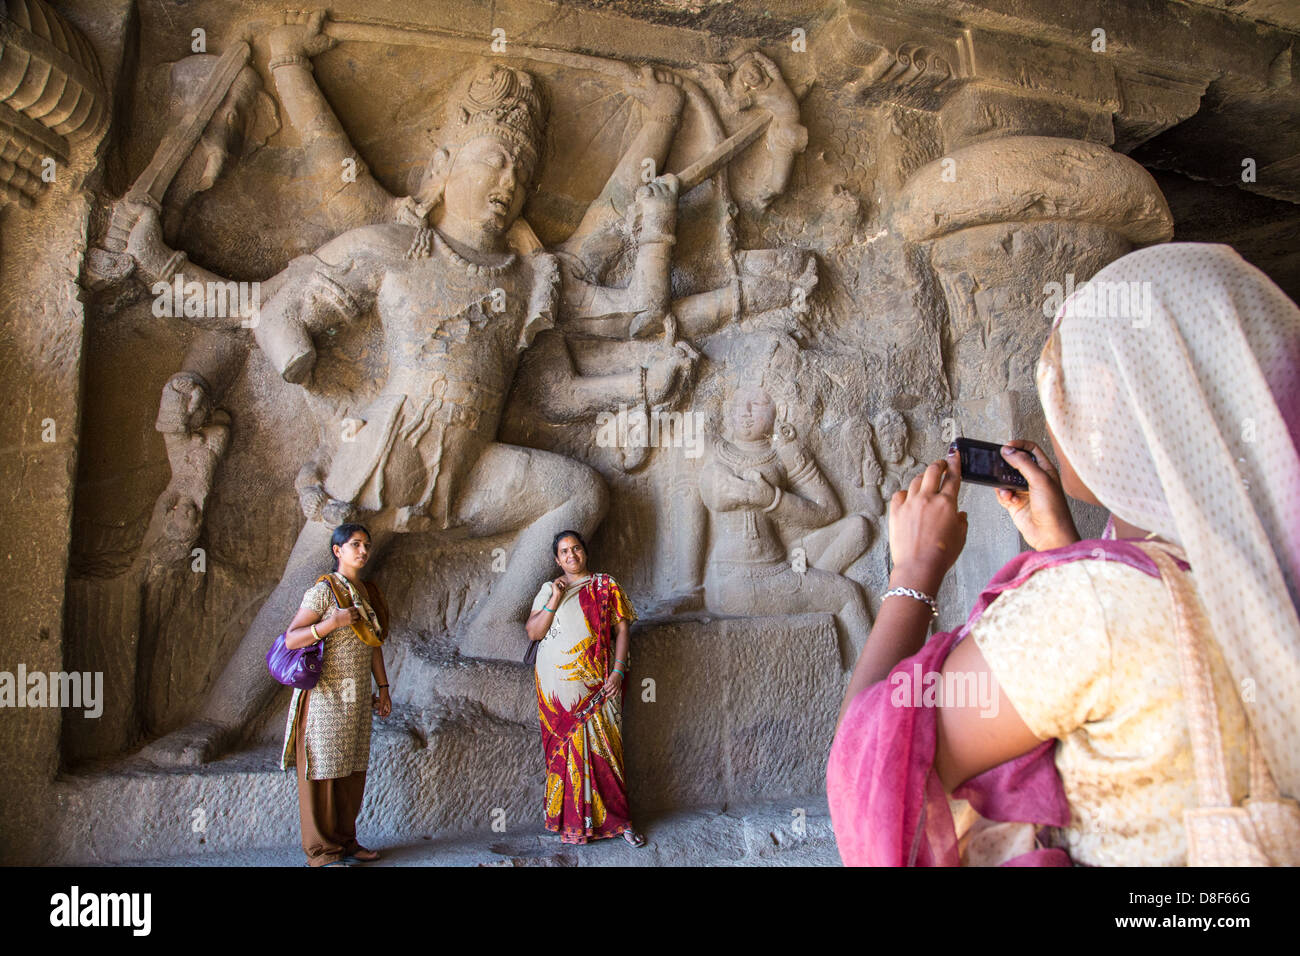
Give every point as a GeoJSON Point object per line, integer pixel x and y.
{"type": "Point", "coordinates": [1086, 652]}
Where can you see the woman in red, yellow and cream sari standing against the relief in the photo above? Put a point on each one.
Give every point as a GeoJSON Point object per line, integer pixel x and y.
{"type": "Point", "coordinates": [580, 622]}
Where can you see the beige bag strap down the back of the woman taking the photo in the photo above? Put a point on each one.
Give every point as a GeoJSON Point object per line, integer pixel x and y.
{"type": "Point", "coordinates": [1190, 626]}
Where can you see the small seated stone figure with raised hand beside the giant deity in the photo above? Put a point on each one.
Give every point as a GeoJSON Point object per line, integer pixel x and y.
{"type": "Point", "coordinates": [760, 491]}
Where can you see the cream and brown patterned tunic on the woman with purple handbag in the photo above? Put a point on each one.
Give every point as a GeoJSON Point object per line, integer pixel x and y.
{"type": "Point", "coordinates": [339, 717]}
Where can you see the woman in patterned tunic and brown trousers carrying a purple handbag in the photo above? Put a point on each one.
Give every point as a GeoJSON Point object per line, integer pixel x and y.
{"type": "Point", "coordinates": [328, 733]}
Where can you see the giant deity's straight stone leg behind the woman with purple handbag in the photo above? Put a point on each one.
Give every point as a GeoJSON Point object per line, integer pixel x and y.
{"type": "Point", "coordinates": [245, 689]}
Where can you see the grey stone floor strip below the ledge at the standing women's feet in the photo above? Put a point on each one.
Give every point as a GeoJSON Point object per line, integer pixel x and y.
{"type": "Point", "coordinates": [787, 834]}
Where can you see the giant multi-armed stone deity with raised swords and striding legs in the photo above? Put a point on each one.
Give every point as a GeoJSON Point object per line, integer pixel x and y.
{"type": "Point", "coordinates": [461, 287]}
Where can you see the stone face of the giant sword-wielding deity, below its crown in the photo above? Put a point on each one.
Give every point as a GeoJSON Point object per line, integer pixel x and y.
{"type": "Point", "coordinates": [484, 192]}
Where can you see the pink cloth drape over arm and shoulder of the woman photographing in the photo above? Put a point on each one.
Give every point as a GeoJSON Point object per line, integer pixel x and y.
{"type": "Point", "coordinates": [887, 804]}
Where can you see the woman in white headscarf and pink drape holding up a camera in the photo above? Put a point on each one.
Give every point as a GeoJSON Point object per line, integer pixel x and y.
{"type": "Point", "coordinates": [1185, 423]}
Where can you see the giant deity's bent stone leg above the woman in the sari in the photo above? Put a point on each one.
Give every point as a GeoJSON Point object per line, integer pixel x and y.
{"type": "Point", "coordinates": [543, 494]}
